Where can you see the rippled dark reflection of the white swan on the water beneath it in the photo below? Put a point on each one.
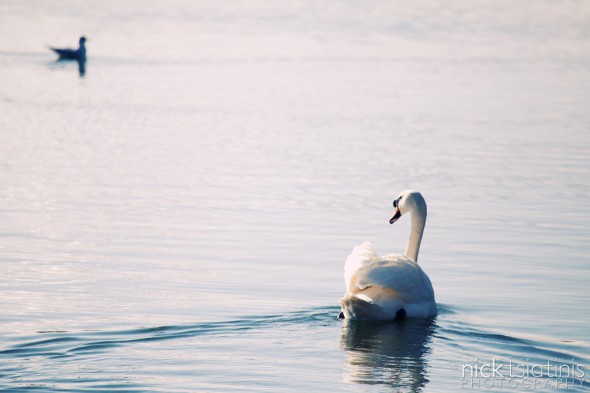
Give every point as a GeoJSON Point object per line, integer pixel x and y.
{"type": "Point", "coordinates": [391, 353]}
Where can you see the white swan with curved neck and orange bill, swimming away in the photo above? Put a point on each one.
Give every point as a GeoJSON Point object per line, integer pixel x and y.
{"type": "Point", "coordinates": [393, 286]}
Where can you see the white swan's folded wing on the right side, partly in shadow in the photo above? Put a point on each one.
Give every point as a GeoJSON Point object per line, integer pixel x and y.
{"type": "Point", "coordinates": [399, 274]}
